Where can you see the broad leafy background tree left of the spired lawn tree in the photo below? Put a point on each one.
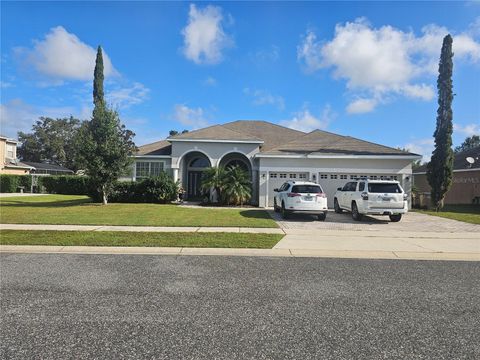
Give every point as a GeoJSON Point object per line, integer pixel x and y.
{"type": "Point", "coordinates": [51, 141]}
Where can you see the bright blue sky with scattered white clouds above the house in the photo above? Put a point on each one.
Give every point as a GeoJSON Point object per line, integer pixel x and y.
{"type": "Point", "coordinates": [364, 69]}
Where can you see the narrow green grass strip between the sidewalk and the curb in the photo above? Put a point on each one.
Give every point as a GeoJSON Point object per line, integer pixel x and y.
{"type": "Point", "coordinates": [112, 238]}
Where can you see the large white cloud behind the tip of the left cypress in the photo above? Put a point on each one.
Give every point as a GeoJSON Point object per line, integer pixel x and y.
{"type": "Point", "coordinates": [63, 56]}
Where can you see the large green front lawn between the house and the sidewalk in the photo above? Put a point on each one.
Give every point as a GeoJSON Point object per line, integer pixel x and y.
{"type": "Point", "coordinates": [79, 210]}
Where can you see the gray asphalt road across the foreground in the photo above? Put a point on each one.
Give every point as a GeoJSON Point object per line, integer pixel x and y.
{"type": "Point", "coordinates": [213, 307]}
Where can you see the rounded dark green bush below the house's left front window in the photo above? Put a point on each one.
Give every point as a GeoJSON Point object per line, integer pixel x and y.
{"type": "Point", "coordinates": [160, 189]}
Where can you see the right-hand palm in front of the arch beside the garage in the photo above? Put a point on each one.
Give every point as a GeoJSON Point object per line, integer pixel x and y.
{"type": "Point", "coordinates": [237, 186]}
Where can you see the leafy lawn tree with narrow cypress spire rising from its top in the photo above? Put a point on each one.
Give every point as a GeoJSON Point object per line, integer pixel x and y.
{"type": "Point", "coordinates": [105, 146]}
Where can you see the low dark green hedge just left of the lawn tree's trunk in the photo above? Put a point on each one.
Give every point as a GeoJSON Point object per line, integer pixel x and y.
{"type": "Point", "coordinates": [67, 185]}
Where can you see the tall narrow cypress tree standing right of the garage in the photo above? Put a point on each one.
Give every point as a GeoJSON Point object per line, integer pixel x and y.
{"type": "Point", "coordinates": [440, 168]}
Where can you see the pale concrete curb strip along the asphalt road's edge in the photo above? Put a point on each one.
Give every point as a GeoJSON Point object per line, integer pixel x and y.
{"type": "Point", "coordinates": [186, 251]}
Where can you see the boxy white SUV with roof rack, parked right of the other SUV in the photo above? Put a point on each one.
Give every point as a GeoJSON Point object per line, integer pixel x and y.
{"type": "Point", "coordinates": [372, 197]}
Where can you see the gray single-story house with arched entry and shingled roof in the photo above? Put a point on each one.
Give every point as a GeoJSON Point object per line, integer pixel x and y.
{"type": "Point", "coordinates": [272, 154]}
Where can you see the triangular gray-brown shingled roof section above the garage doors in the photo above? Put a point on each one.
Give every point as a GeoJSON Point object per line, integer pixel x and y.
{"type": "Point", "coordinates": [320, 142]}
